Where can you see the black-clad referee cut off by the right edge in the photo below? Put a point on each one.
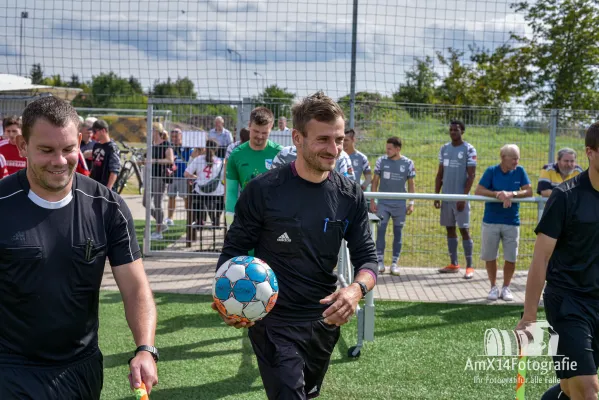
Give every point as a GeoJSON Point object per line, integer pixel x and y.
{"type": "Point", "coordinates": [566, 254]}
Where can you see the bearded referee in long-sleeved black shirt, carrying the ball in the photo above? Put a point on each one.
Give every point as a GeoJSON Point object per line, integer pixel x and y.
{"type": "Point", "coordinates": [295, 218]}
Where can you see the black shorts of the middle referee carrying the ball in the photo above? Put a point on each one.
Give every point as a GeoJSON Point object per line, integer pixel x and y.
{"type": "Point", "coordinates": [293, 357]}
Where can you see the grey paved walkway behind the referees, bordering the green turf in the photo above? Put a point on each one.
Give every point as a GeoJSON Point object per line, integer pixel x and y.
{"type": "Point", "coordinates": [194, 276]}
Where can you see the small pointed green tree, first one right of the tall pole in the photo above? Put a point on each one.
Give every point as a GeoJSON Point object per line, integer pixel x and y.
{"type": "Point", "coordinates": [420, 84]}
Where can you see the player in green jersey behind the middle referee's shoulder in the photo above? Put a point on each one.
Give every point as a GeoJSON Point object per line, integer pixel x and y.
{"type": "Point", "coordinates": [250, 159]}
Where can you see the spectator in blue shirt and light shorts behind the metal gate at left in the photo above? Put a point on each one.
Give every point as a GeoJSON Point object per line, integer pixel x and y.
{"type": "Point", "coordinates": [179, 186]}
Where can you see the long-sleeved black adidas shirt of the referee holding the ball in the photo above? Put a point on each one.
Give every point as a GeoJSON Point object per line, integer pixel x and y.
{"type": "Point", "coordinates": [296, 227]}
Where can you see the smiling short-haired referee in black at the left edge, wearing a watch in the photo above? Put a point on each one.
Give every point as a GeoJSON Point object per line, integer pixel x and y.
{"type": "Point", "coordinates": [58, 228]}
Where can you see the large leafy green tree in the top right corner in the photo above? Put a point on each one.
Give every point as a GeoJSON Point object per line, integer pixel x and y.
{"type": "Point", "coordinates": [563, 53]}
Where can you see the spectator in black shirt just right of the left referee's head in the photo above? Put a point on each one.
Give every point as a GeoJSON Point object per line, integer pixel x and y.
{"type": "Point", "coordinates": [106, 156]}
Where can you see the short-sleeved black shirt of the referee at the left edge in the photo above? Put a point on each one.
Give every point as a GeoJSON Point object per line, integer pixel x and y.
{"type": "Point", "coordinates": [52, 258]}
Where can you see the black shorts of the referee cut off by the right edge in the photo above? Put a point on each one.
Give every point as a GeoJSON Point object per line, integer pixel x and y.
{"type": "Point", "coordinates": [576, 321]}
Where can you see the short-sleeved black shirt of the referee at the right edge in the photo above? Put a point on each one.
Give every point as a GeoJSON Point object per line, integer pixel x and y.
{"type": "Point", "coordinates": [571, 216]}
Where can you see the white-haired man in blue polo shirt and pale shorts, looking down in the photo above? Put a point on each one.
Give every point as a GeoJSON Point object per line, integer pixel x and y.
{"type": "Point", "coordinates": [501, 221]}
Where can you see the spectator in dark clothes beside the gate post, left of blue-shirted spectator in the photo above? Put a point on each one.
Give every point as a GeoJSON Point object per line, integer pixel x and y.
{"type": "Point", "coordinates": [162, 160]}
